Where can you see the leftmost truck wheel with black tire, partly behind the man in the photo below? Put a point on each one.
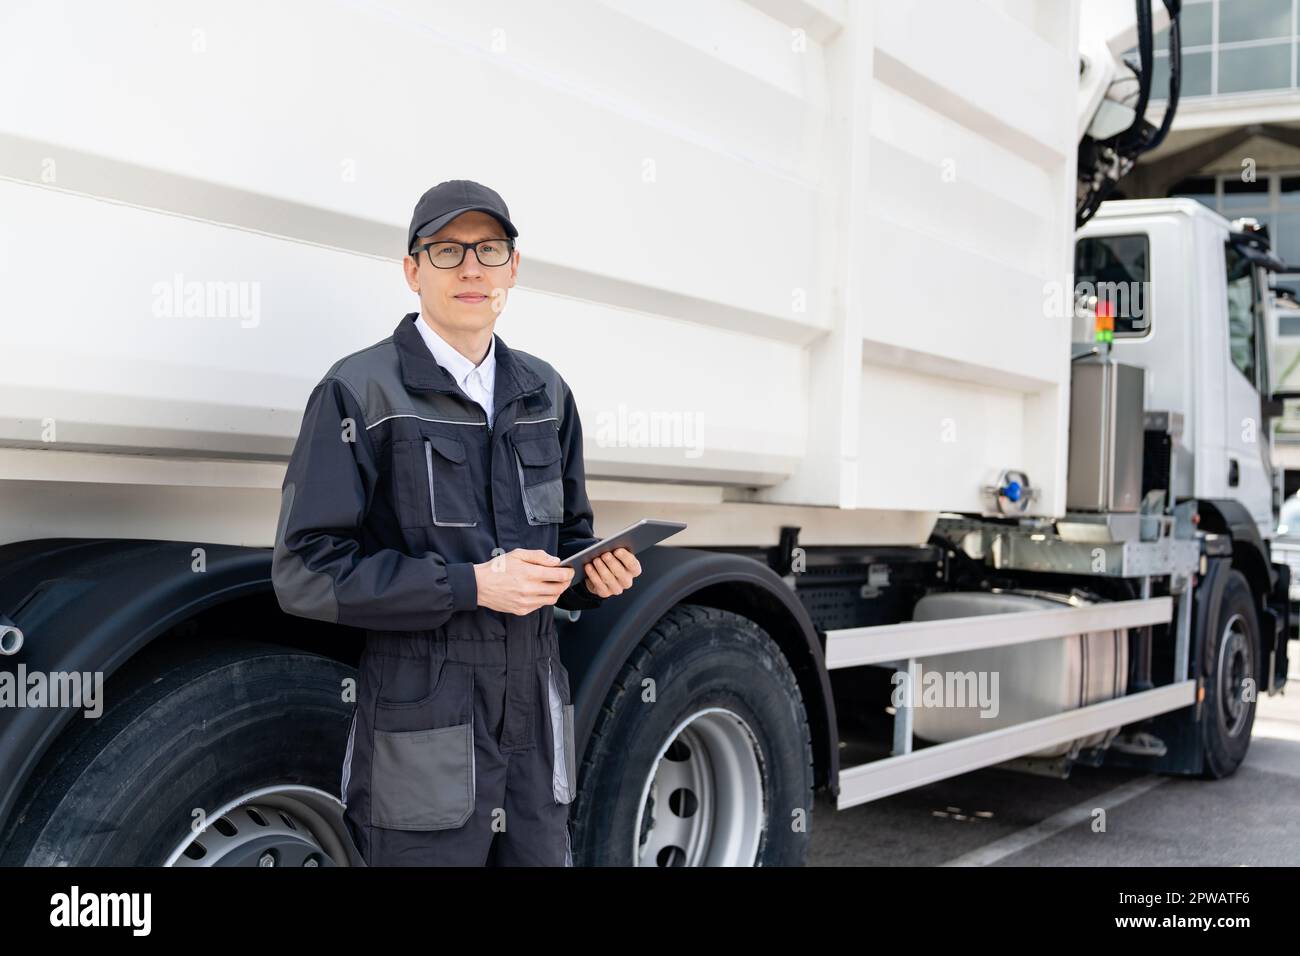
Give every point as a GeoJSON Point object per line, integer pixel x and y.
{"type": "Point", "coordinates": [245, 738]}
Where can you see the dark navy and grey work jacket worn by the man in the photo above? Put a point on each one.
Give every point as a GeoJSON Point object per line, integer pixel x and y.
{"type": "Point", "coordinates": [397, 487]}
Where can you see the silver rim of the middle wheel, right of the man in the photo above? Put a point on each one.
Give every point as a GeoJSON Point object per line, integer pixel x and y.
{"type": "Point", "coordinates": [703, 803]}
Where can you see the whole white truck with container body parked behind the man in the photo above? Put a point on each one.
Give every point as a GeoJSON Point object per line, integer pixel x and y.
{"type": "Point", "coordinates": [944, 513]}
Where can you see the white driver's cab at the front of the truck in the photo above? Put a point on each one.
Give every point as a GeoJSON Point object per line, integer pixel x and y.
{"type": "Point", "coordinates": [1188, 291]}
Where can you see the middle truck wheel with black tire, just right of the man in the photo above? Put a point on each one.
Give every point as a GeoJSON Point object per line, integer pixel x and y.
{"type": "Point", "coordinates": [701, 755]}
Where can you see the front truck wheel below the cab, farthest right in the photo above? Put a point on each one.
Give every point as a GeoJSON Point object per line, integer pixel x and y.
{"type": "Point", "coordinates": [1232, 657]}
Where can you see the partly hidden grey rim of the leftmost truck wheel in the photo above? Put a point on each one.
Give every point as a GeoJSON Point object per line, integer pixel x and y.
{"type": "Point", "coordinates": [274, 827]}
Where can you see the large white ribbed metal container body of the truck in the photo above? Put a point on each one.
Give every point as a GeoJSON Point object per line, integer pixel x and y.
{"type": "Point", "coordinates": [831, 240]}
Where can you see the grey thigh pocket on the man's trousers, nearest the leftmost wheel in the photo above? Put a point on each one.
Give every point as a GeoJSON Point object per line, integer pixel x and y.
{"type": "Point", "coordinates": [423, 765]}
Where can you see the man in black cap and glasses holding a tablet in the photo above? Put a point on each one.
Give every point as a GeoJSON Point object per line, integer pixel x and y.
{"type": "Point", "coordinates": [436, 485]}
